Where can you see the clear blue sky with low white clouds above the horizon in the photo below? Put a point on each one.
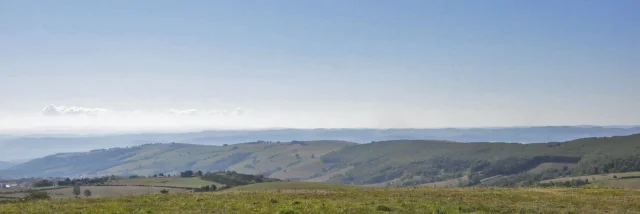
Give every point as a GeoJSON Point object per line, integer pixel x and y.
{"type": "Point", "coordinates": [91, 66]}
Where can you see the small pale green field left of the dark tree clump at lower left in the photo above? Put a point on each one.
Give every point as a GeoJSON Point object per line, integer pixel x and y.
{"type": "Point", "coordinates": [192, 182]}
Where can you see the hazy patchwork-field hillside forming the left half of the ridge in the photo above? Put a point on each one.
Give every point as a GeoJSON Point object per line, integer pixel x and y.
{"type": "Point", "coordinates": [279, 159]}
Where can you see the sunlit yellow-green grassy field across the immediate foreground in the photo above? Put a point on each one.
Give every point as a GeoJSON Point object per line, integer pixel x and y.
{"type": "Point", "coordinates": [354, 200]}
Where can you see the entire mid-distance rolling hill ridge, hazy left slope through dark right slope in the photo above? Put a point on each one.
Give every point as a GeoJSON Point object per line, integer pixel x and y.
{"type": "Point", "coordinates": [396, 163]}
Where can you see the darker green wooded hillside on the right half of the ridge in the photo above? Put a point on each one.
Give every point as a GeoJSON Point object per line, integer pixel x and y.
{"type": "Point", "coordinates": [414, 162]}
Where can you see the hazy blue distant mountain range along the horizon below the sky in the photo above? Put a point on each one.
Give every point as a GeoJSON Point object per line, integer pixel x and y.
{"type": "Point", "coordinates": [34, 146]}
